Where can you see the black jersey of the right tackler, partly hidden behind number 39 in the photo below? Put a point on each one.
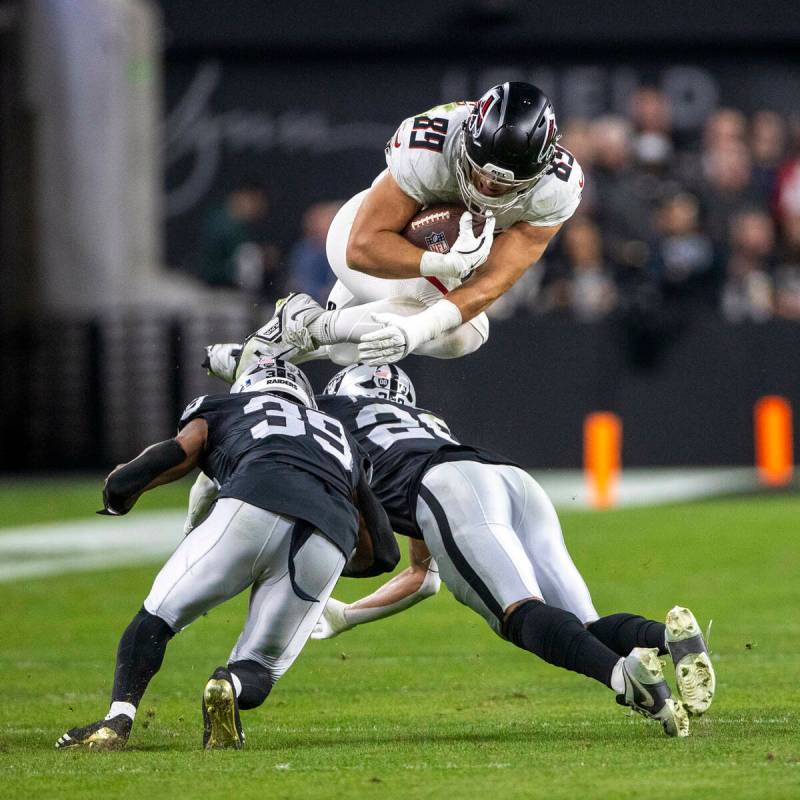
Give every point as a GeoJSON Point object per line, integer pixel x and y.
{"type": "Point", "coordinates": [401, 442]}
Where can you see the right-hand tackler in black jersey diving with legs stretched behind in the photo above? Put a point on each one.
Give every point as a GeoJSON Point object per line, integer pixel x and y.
{"type": "Point", "coordinates": [497, 541]}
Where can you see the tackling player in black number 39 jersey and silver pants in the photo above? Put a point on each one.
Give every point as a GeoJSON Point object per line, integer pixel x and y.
{"type": "Point", "coordinates": [291, 482]}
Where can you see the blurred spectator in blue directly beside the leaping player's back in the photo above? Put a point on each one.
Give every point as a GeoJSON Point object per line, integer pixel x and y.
{"type": "Point", "coordinates": [309, 270]}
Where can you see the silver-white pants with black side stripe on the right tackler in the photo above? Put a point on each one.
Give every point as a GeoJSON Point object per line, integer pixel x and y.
{"type": "Point", "coordinates": [497, 540]}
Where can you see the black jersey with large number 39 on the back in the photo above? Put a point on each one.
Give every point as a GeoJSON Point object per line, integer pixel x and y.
{"type": "Point", "coordinates": [283, 457]}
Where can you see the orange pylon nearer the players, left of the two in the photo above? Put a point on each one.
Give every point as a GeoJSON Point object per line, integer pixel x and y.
{"type": "Point", "coordinates": [602, 460]}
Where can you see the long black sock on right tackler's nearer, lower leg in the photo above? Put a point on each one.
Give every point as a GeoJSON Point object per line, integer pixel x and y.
{"type": "Point", "coordinates": [558, 637]}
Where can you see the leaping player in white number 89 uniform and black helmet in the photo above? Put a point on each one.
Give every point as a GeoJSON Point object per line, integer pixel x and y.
{"type": "Point", "coordinates": [500, 157]}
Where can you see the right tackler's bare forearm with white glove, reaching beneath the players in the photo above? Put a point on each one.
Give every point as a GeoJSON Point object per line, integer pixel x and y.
{"type": "Point", "coordinates": [415, 583]}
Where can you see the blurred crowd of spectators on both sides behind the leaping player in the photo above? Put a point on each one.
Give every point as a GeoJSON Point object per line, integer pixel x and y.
{"type": "Point", "coordinates": [671, 226]}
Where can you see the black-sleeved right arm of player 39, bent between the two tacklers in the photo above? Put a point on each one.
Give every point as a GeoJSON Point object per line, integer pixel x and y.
{"type": "Point", "coordinates": [376, 551]}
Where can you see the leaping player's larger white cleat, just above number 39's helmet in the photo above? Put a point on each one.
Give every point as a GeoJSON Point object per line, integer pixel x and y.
{"type": "Point", "coordinates": [286, 335]}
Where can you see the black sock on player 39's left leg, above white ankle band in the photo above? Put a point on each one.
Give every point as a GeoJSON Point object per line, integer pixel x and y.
{"type": "Point", "coordinates": [139, 656]}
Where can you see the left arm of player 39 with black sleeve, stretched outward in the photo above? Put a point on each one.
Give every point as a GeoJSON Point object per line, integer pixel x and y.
{"type": "Point", "coordinates": [160, 463]}
